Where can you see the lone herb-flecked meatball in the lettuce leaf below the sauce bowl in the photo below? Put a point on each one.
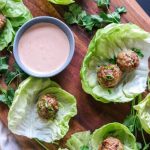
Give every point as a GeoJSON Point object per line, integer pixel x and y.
{"type": "Point", "coordinates": [47, 106]}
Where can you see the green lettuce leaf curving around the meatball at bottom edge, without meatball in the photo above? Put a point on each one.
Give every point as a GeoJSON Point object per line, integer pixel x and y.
{"type": "Point", "coordinates": [115, 130]}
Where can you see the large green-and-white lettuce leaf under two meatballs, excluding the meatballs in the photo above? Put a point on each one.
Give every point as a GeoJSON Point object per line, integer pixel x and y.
{"type": "Point", "coordinates": [105, 45]}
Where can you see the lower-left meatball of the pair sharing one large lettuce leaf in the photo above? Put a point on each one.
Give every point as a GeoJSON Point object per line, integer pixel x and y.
{"type": "Point", "coordinates": [109, 75]}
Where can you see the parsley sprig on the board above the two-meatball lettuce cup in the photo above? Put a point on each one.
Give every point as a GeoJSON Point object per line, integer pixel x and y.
{"type": "Point", "coordinates": [76, 15]}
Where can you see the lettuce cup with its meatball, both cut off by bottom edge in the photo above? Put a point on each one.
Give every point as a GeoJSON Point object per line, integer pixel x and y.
{"type": "Point", "coordinates": [113, 136]}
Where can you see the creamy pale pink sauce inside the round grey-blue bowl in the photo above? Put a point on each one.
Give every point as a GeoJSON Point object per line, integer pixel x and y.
{"type": "Point", "coordinates": [43, 48]}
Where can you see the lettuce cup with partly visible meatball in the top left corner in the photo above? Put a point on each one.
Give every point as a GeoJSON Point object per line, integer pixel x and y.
{"type": "Point", "coordinates": [16, 14]}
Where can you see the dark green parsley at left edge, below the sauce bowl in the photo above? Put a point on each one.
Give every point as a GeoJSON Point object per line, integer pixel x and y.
{"type": "Point", "coordinates": [7, 95]}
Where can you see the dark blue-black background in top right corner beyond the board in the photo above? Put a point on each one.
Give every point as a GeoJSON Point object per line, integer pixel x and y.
{"type": "Point", "coordinates": [145, 4]}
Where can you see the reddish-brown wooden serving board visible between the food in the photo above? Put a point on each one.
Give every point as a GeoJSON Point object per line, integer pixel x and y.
{"type": "Point", "coordinates": [91, 114]}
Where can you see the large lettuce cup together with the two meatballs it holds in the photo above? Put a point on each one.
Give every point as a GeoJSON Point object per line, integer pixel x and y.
{"type": "Point", "coordinates": [115, 68]}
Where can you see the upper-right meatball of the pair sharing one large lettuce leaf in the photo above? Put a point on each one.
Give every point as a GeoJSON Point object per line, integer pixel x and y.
{"type": "Point", "coordinates": [127, 60]}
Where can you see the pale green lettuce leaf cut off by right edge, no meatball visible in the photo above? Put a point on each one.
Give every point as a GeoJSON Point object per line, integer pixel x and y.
{"type": "Point", "coordinates": [143, 112]}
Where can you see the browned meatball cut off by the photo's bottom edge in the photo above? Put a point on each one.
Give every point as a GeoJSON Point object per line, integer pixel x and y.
{"type": "Point", "coordinates": [111, 143]}
